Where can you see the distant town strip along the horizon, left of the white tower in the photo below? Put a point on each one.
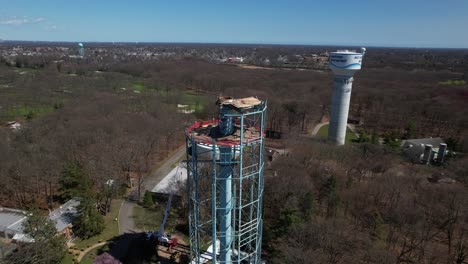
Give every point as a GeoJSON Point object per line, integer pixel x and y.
{"type": "Point", "coordinates": [267, 56]}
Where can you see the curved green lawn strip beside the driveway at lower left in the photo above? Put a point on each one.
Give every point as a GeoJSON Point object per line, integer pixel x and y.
{"type": "Point", "coordinates": [111, 230]}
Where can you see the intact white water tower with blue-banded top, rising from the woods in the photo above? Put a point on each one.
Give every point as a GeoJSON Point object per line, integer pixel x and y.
{"type": "Point", "coordinates": [344, 64]}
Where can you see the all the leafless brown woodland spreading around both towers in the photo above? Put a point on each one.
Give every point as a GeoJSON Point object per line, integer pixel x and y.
{"type": "Point", "coordinates": [361, 203]}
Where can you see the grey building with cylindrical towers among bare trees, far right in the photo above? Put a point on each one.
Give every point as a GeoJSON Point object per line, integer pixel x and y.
{"type": "Point", "coordinates": [424, 150]}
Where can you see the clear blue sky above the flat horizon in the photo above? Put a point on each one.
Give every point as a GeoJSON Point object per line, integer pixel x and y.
{"type": "Point", "coordinates": [389, 23]}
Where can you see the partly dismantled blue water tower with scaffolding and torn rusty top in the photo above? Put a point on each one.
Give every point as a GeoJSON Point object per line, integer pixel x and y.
{"type": "Point", "coordinates": [225, 164]}
